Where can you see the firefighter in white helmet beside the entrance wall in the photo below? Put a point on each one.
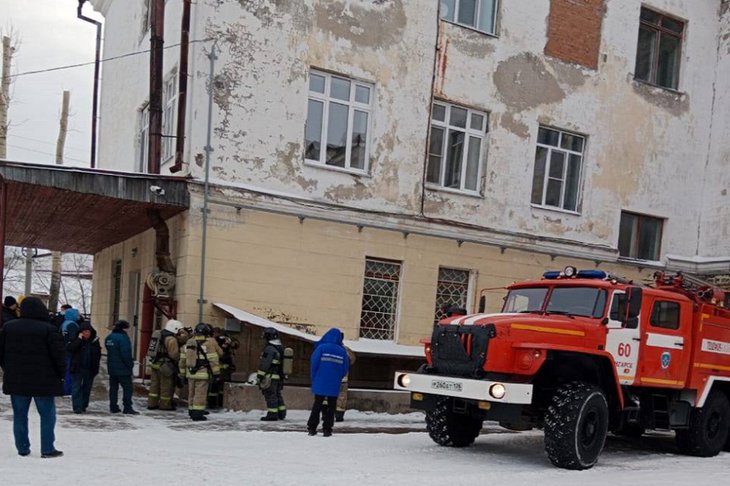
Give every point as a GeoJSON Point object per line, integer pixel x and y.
{"type": "Point", "coordinates": [163, 374]}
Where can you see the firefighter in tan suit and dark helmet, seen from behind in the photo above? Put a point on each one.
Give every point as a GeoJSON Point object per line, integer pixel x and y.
{"type": "Point", "coordinates": [200, 364]}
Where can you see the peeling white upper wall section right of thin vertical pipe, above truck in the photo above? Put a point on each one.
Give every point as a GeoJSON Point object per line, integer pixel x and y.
{"type": "Point", "coordinates": [645, 145]}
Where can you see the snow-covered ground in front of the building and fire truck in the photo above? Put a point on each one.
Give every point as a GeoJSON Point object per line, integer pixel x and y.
{"type": "Point", "coordinates": [158, 448]}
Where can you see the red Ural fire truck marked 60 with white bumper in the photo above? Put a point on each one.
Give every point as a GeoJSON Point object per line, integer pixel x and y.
{"type": "Point", "coordinates": [578, 354]}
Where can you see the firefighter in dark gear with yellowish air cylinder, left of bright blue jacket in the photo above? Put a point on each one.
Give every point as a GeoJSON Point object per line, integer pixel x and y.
{"type": "Point", "coordinates": [270, 376]}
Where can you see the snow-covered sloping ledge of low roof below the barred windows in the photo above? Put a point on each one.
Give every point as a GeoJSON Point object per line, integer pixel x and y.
{"type": "Point", "coordinates": [360, 346]}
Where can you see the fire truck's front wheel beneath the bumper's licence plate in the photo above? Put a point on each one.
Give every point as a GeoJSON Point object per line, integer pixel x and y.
{"type": "Point", "coordinates": [451, 429]}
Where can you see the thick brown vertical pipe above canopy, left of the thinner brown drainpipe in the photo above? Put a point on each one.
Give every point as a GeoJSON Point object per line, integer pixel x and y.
{"type": "Point", "coordinates": [157, 35]}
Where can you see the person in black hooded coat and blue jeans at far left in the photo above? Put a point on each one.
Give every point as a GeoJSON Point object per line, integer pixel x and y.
{"type": "Point", "coordinates": [32, 356]}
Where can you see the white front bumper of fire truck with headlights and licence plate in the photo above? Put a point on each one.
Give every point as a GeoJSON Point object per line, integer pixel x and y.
{"type": "Point", "coordinates": [482, 390]}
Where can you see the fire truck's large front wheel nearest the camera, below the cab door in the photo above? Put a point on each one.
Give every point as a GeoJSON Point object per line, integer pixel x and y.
{"type": "Point", "coordinates": [576, 424]}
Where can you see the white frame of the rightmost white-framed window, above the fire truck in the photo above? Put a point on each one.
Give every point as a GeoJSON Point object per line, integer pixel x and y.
{"type": "Point", "coordinates": [548, 162]}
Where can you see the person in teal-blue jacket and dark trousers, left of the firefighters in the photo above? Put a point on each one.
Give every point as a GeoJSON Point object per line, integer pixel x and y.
{"type": "Point", "coordinates": [120, 363]}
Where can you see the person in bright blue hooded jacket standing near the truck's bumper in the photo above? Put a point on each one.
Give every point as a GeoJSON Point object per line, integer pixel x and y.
{"type": "Point", "coordinates": [328, 365]}
